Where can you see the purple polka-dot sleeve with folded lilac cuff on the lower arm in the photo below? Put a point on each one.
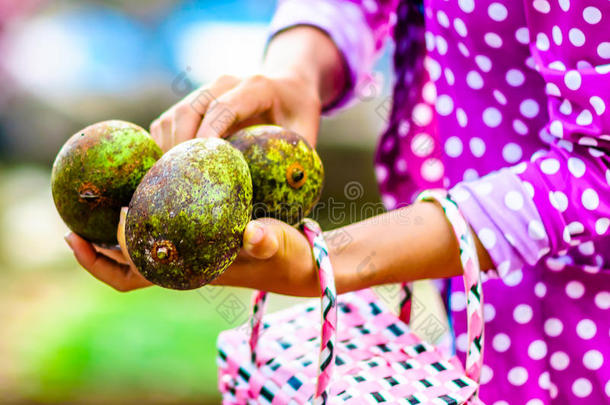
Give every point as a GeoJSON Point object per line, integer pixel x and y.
{"type": "Point", "coordinates": [561, 198]}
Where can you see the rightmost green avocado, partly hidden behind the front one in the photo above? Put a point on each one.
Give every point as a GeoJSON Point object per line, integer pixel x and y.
{"type": "Point", "coordinates": [272, 152]}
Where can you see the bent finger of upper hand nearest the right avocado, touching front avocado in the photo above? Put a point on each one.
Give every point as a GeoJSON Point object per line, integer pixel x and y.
{"type": "Point", "coordinates": [249, 99]}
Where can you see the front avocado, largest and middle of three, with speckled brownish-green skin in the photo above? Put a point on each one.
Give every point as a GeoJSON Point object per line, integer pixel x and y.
{"type": "Point", "coordinates": [186, 219]}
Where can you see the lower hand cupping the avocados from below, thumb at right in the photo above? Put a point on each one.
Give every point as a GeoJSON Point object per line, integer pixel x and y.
{"type": "Point", "coordinates": [275, 257]}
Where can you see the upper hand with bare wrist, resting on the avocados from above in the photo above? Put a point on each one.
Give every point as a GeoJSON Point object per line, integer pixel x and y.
{"type": "Point", "coordinates": [303, 71]}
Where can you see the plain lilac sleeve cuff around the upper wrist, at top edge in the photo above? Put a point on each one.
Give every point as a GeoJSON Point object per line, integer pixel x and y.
{"type": "Point", "coordinates": [345, 23]}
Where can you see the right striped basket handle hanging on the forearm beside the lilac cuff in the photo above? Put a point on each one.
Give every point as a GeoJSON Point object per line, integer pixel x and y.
{"type": "Point", "coordinates": [472, 279]}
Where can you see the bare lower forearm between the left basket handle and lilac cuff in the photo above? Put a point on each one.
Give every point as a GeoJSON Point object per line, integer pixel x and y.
{"type": "Point", "coordinates": [412, 243]}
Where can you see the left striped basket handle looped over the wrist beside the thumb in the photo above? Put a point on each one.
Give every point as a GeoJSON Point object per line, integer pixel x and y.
{"type": "Point", "coordinates": [326, 361]}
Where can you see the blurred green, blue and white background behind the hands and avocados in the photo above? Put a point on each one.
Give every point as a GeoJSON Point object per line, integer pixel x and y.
{"type": "Point", "coordinates": [65, 337]}
